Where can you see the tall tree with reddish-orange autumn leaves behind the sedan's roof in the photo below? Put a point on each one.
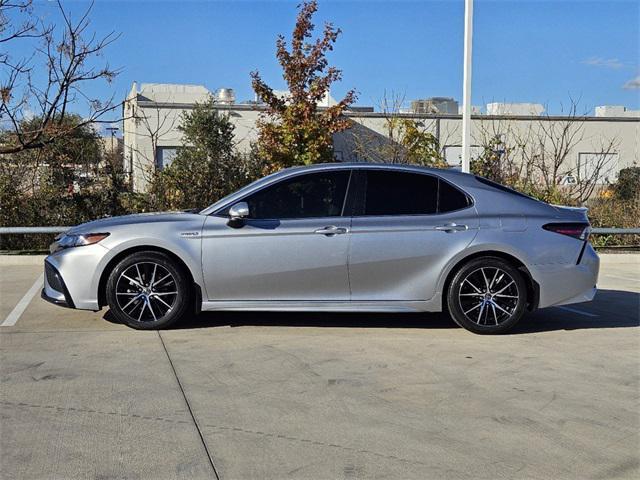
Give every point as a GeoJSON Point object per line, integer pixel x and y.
{"type": "Point", "coordinates": [294, 130]}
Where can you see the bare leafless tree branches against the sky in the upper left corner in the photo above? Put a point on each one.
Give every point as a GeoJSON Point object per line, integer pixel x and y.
{"type": "Point", "coordinates": [67, 53]}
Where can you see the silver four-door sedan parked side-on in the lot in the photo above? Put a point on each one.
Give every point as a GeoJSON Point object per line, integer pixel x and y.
{"type": "Point", "coordinates": [338, 237]}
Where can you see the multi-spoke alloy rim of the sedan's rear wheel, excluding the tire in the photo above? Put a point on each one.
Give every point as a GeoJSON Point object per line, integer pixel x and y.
{"type": "Point", "coordinates": [488, 296]}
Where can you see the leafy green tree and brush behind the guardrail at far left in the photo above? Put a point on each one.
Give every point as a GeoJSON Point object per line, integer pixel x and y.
{"type": "Point", "coordinates": [67, 181]}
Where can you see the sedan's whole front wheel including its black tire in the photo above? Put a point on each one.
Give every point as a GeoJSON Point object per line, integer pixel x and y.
{"type": "Point", "coordinates": [147, 304]}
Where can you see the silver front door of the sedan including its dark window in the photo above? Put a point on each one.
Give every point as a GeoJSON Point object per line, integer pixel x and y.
{"type": "Point", "coordinates": [292, 247]}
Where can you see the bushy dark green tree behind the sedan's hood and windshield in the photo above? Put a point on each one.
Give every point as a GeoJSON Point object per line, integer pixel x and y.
{"type": "Point", "coordinates": [207, 167]}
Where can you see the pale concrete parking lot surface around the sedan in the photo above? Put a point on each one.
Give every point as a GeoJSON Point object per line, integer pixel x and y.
{"type": "Point", "coordinates": [257, 395]}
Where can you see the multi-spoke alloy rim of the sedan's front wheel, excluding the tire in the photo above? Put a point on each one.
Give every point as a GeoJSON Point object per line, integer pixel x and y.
{"type": "Point", "coordinates": [146, 291]}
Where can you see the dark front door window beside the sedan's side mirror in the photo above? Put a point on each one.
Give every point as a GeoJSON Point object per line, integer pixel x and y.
{"type": "Point", "coordinates": [305, 196]}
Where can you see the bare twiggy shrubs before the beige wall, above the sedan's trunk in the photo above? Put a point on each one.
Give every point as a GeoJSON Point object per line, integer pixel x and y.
{"type": "Point", "coordinates": [539, 157]}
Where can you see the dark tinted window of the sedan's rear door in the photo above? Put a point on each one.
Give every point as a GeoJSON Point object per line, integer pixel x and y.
{"type": "Point", "coordinates": [400, 193]}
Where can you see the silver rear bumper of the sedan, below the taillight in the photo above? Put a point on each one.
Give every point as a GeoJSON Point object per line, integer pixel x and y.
{"type": "Point", "coordinates": [562, 284]}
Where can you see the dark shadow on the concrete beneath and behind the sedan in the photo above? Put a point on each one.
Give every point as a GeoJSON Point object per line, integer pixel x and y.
{"type": "Point", "coordinates": [610, 309]}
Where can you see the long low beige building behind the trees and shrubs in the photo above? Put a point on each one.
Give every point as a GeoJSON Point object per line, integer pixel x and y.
{"type": "Point", "coordinates": [152, 116]}
